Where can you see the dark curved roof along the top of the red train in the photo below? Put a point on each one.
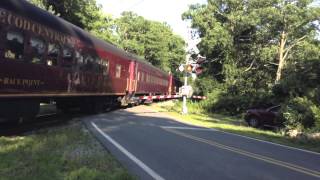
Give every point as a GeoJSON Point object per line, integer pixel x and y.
{"type": "Point", "coordinates": [26, 9]}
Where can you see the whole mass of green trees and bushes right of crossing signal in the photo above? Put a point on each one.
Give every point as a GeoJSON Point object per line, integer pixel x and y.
{"type": "Point", "coordinates": [244, 42]}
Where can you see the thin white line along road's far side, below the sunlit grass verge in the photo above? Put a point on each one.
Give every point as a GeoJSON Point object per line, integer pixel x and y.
{"type": "Point", "coordinates": [267, 142]}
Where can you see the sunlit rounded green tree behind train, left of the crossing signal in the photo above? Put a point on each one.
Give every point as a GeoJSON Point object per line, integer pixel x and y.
{"type": "Point", "coordinates": [151, 40]}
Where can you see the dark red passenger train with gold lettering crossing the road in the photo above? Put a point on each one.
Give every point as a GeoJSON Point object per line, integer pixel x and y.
{"type": "Point", "coordinates": [44, 58]}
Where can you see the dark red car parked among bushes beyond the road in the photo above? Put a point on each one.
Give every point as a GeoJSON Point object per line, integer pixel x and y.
{"type": "Point", "coordinates": [263, 117]}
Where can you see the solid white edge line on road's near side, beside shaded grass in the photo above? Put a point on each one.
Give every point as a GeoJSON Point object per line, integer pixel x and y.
{"type": "Point", "coordinates": [148, 170]}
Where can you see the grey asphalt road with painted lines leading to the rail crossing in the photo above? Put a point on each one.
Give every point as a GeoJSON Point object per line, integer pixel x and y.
{"type": "Point", "coordinates": [153, 146]}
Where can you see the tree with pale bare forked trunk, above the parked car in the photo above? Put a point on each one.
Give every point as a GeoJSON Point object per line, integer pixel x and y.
{"type": "Point", "coordinates": [293, 21]}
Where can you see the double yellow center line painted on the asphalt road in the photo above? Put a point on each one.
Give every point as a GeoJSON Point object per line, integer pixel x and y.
{"type": "Point", "coordinates": [249, 154]}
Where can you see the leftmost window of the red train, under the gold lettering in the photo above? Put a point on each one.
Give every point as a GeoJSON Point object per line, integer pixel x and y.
{"type": "Point", "coordinates": [14, 46]}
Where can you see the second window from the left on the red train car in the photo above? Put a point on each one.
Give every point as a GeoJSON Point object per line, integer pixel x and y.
{"type": "Point", "coordinates": [37, 50]}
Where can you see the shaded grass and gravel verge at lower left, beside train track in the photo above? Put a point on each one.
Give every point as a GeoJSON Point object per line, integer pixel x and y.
{"type": "Point", "coordinates": [69, 152]}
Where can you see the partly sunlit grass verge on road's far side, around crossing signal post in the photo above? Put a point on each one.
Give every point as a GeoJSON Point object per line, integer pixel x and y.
{"type": "Point", "coordinates": [233, 125]}
